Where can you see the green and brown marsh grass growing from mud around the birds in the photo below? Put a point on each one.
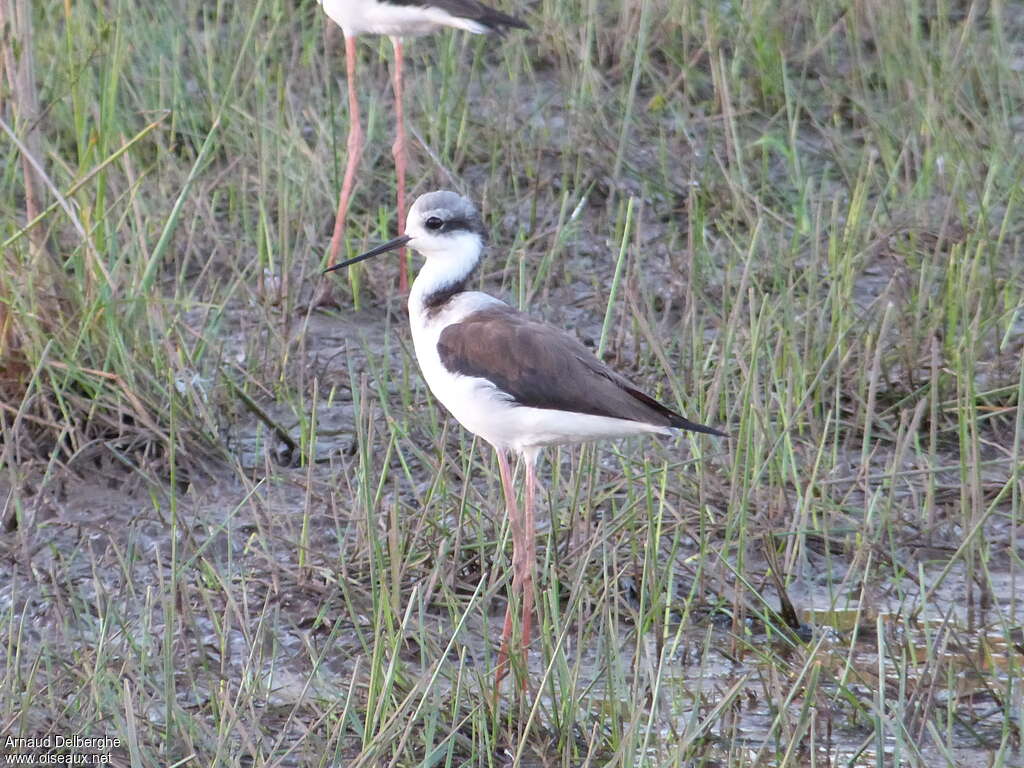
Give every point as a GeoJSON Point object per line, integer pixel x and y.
{"type": "Point", "coordinates": [236, 531]}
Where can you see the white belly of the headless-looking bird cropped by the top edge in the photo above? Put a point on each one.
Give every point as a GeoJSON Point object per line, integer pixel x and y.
{"type": "Point", "coordinates": [373, 18]}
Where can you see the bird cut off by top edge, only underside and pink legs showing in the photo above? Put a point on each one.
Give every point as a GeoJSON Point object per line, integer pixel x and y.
{"type": "Point", "coordinates": [398, 19]}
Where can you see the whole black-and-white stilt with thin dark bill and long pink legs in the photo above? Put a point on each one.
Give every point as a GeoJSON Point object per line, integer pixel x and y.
{"type": "Point", "coordinates": [518, 383]}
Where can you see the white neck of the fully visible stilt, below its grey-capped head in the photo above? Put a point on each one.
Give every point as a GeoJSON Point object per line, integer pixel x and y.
{"type": "Point", "coordinates": [446, 273]}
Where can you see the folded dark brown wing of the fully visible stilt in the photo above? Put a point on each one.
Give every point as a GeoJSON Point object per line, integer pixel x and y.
{"type": "Point", "coordinates": [539, 366]}
